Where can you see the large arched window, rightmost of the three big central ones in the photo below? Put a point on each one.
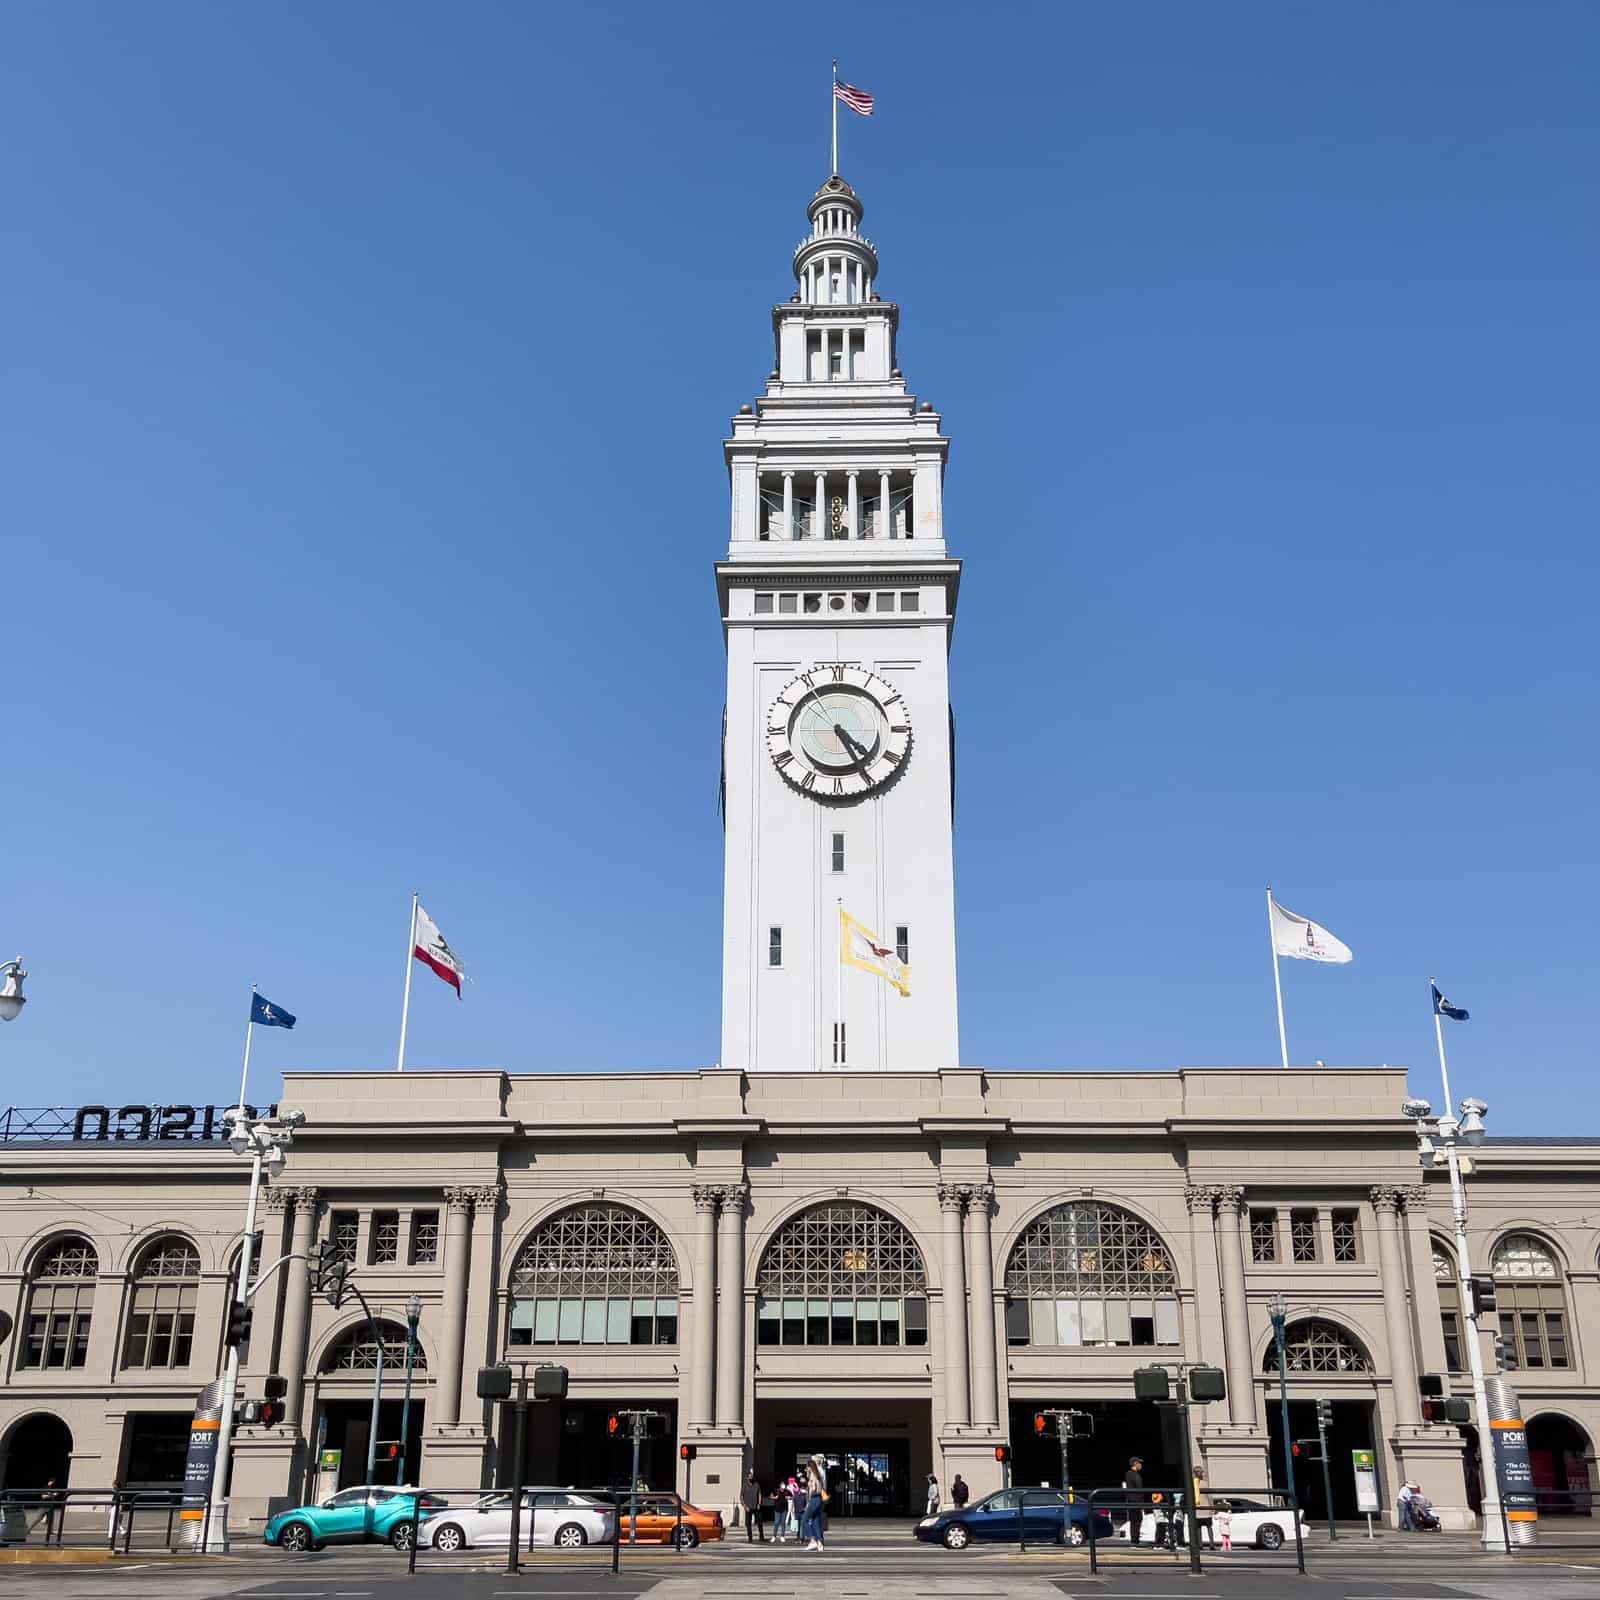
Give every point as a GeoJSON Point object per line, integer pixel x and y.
{"type": "Point", "coordinates": [1087, 1273]}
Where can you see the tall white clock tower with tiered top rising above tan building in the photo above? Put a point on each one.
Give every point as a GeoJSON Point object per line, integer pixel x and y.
{"type": "Point", "coordinates": [838, 606]}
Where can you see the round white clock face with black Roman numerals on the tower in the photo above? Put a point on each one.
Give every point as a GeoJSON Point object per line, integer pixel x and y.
{"type": "Point", "coordinates": [838, 732]}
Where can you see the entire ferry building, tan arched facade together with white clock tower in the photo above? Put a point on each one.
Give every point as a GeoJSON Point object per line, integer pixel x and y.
{"type": "Point", "coordinates": [841, 1239]}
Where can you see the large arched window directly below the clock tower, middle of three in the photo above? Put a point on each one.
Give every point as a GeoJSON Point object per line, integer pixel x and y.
{"type": "Point", "coordinates": [842, 1273]}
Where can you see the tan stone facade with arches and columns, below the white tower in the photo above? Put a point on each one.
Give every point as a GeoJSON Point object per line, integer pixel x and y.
{"type": "Point", "coordinates": [1215, 1190]}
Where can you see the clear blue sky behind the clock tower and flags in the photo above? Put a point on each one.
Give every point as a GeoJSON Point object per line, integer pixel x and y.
{"type": "Point", "coordinates": [361, 482]}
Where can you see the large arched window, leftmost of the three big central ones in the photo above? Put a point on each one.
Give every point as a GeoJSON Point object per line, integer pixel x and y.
{"type": "Point", "coordinates": [596, 1274]}
